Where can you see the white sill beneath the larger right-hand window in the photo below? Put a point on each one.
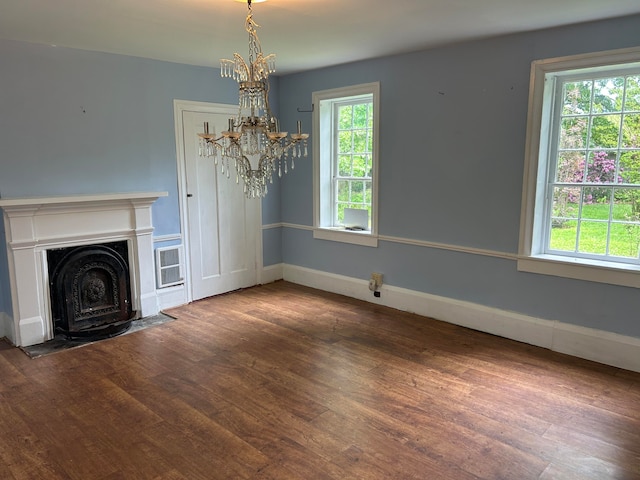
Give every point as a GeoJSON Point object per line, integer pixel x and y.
{"type": "Point", "coordinates": [582, 269]}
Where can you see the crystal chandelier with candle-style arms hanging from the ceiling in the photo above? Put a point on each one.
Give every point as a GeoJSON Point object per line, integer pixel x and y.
{"type": "Point", "coordinates": [254, 134]}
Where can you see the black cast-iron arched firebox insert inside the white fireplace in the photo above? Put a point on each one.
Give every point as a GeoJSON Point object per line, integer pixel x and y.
{"type": "Point", "coordinates": [90, 289]}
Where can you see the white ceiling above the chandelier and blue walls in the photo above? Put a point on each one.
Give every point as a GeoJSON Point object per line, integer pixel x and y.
{"type": "Point", "coordinates": [305, 34]}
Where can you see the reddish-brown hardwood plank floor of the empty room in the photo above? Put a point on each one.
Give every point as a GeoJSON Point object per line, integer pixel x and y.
{"type": "Point", "coordinates": [285, 382]}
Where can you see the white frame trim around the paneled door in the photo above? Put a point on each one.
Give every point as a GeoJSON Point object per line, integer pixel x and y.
{"type": "Point", "coordinates": [179, 107]}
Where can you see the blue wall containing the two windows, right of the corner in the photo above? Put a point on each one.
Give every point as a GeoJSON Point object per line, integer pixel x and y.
{"type": "Point", "coordinates": [452, 141]}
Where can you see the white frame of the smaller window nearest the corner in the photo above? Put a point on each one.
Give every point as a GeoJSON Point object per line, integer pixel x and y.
{"type": "Point", "coordinates": [323, 151]}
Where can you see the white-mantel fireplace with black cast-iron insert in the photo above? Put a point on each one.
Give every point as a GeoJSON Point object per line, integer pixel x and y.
{"type": "Point", "coordinates": [36, 228]}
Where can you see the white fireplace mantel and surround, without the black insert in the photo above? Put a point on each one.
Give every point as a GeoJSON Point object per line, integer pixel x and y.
{"type": "Point", "coordinates": [35, 225]}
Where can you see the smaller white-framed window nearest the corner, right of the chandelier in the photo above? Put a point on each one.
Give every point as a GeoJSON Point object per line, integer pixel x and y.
{"type": "Point", "coordinates": [345, 124]}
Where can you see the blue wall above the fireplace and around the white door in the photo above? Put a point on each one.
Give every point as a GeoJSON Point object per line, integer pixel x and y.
{"type": "Point", "coordinates": [79, 122]}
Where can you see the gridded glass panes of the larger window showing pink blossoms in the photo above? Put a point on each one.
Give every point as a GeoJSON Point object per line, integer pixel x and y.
{"type": "Point", "coordinates": [595, 187]}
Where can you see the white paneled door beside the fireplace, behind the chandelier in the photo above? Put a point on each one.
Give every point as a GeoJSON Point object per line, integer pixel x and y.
{"type": "Point", "coordinates": [222, 225]}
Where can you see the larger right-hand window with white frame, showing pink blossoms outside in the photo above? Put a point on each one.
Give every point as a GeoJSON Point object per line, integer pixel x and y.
{"type": "Point", "coordinates": [581, 207]}
